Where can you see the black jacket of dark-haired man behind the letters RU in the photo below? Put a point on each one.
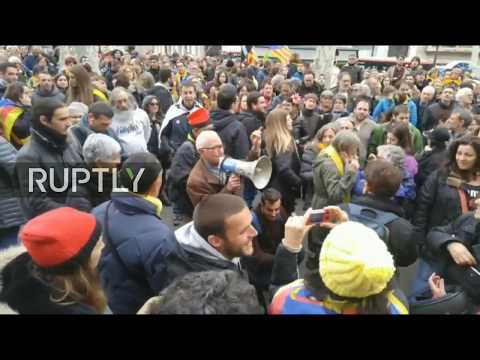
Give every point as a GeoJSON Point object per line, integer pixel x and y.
{"type": "Point", "coordinates": [47, 153]}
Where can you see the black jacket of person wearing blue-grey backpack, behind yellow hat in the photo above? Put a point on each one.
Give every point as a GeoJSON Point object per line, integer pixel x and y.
{"type": "Point", "coordinates": [402, 243]}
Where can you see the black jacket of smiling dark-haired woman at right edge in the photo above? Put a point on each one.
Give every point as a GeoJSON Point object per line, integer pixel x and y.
{"type": "Point", "coordinates": [437, 204]}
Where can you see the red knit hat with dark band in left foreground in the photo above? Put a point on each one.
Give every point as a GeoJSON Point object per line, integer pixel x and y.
{"type": "Point", "coordinates": [61, 239]}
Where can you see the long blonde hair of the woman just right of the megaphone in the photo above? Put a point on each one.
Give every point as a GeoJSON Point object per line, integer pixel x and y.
{"type": "Point", "coordinates": [278, 138]}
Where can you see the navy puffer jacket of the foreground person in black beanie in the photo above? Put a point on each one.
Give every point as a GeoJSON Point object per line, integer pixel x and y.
{"type": "Point", "coordinates": [142, 240]}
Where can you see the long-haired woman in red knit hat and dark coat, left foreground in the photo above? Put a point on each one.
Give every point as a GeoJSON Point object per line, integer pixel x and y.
{"type": "Point", "coordinates": [57, 274]}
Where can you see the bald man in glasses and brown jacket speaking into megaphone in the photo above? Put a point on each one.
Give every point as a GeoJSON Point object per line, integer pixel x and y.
{"type": "Point", "coordinates": [206, 178]}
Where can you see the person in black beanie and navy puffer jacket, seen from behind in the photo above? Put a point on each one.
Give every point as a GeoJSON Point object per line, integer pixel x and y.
{"type": "Point", "coordinates": [136, 239]}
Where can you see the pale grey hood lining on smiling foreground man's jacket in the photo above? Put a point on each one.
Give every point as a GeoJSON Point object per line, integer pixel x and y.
{"type": "Point", "coordinates": [192, 242]}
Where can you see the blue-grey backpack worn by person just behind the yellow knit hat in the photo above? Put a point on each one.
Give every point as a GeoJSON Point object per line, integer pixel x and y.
{"type": "Point", "coordinates": [373, 218]}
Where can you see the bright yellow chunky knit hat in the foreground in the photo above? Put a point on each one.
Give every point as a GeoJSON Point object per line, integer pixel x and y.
{"type": "Point", "coordinates": [354, 261]}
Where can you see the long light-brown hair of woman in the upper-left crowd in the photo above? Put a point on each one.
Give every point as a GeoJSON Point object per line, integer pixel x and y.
{"type": "Point", "coordinates": [81, 88]}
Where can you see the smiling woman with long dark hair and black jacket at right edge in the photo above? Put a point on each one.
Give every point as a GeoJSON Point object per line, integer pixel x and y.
{"type": "Point", "coordinates": [448, 193]}
